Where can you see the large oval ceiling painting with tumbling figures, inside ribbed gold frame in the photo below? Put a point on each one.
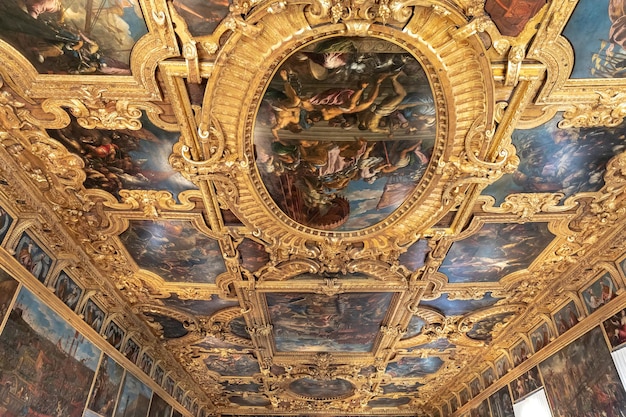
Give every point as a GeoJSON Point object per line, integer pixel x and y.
{"type": "Point", "coordinates": [345, 132]}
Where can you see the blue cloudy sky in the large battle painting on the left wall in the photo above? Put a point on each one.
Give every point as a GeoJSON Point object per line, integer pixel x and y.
{"type": "Point", "coordinates": [50, 325]}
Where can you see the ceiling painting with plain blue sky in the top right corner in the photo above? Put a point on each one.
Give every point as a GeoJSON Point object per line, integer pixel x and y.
{"type": "Point", "coordinates": [595, 31]}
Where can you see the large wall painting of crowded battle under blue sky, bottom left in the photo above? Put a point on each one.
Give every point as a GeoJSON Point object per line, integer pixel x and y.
{"type": "Point", "coordinates": [35, 335]}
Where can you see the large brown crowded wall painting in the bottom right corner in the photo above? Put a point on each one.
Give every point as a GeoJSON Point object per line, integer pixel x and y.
{"type": "Point", "coordinates": [581, 378]}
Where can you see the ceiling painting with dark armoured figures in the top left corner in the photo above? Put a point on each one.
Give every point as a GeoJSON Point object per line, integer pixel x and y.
{"type": "Point", "coordinates": [73, 37]}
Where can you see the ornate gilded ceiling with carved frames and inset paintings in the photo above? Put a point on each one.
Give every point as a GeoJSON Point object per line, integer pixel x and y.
{"type": "Point", "coordinates": [318, 207]}
